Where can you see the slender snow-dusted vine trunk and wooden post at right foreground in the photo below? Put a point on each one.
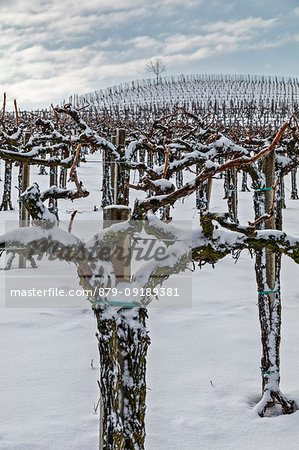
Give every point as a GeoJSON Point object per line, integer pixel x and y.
{"type": "Point", "coordinates": [267, 268]}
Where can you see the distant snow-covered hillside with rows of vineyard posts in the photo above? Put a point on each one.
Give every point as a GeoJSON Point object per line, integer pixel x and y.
{"type": "Point", "coordinates": [233, 100]}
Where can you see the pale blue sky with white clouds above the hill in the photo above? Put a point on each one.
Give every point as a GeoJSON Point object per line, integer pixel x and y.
{"type": "Point", "coordinates": [50, 49]}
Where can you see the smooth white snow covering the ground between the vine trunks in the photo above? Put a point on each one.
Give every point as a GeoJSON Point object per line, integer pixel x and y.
{"type": "Point", "coordinates": [203, 372]}
